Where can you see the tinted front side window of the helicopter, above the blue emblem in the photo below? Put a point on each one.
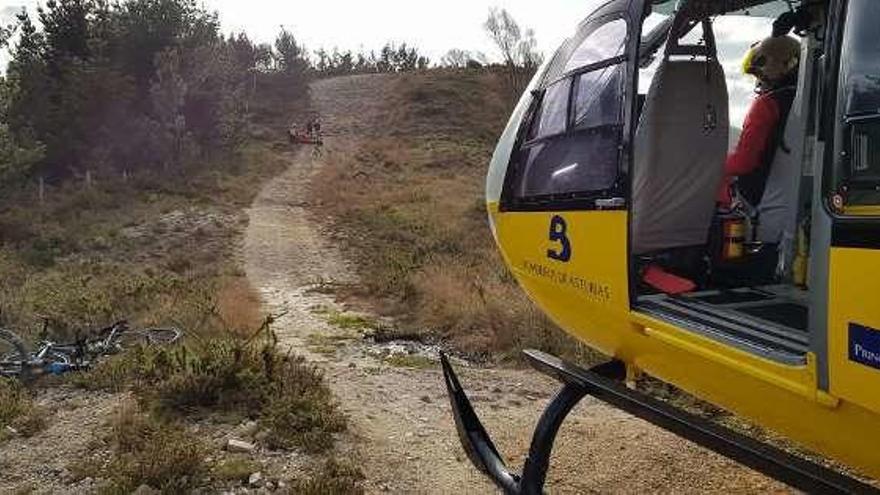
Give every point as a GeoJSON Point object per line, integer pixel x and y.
{"type": "Point", "coordinates": [570, 150]}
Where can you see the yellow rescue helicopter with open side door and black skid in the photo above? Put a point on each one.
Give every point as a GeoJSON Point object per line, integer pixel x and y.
{"type": "Point", "coordinates": [603, 184]}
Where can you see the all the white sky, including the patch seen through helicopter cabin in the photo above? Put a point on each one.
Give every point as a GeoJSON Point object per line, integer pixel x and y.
{"type": "Point", "coordinates": [435, 27]}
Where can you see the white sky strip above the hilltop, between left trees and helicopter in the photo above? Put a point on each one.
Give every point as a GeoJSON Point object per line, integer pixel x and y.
{"type": "Point", "coordinates": [434, 27]}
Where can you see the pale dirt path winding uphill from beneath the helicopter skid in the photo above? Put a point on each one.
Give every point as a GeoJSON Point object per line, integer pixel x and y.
{"type": "Point", "coordinates": [401, 416]}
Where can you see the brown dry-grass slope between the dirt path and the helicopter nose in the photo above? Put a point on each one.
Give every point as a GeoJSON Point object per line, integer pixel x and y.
{"type": "Point", "coordinates": [412, 214]}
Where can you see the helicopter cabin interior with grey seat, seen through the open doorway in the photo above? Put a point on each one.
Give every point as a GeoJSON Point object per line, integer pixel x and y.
{"type": "Point", "coordinates": [738, 272]}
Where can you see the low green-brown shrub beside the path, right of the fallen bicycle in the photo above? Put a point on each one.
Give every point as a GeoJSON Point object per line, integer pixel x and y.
{"type": "Point", "coordinates": [232, 378]}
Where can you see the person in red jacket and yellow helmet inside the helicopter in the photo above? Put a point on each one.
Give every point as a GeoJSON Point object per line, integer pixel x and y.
{"type": "Point", "coordinates": [774, 62]}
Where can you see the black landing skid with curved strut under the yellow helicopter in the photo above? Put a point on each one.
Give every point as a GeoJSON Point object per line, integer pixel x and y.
{"type": "Point", "coordinates": [605, 383]}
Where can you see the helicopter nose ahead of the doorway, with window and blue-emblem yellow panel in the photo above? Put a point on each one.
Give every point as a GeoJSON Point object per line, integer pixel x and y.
{"type": "Point", "coordinates": [556, 190]}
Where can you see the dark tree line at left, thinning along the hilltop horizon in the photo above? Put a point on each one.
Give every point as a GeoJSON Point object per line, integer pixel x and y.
{"type": "Point", "coordinates": [127, 85]}
